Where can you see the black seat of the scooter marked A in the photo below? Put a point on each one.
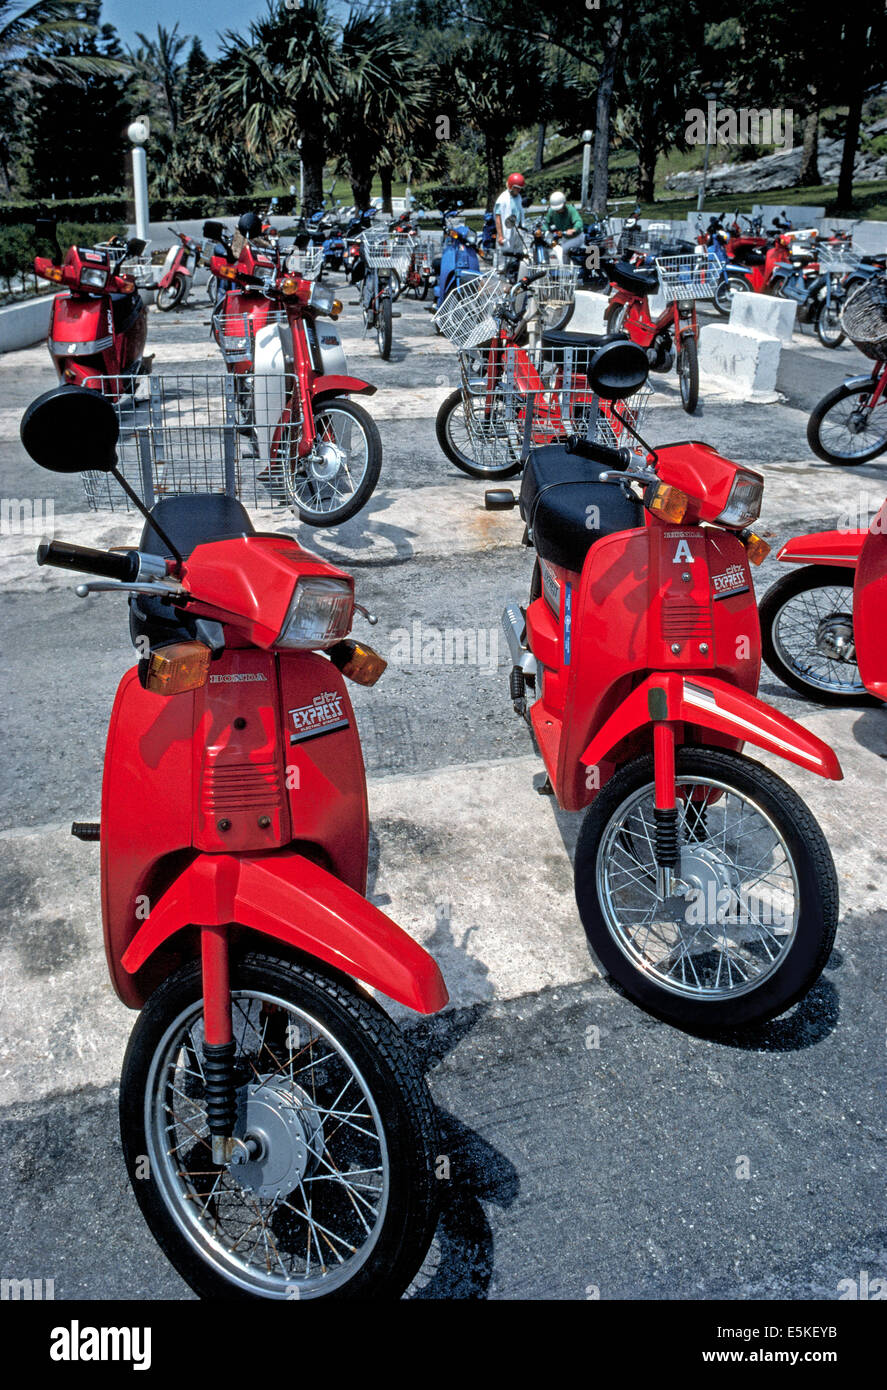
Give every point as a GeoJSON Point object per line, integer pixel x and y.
{"type": "Point", "coordinates": [557, 497]}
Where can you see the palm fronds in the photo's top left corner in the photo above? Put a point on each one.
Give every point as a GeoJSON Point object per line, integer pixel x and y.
{"type": "Point", "coordinates": [29, 33]}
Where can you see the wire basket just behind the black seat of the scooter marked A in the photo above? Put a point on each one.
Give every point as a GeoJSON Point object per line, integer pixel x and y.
{"type": "Point", "coordinates": [515, 402]}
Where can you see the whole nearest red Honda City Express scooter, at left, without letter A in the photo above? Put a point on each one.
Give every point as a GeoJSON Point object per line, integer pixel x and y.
{"type": "Point", "coordinates": [279, 1135]}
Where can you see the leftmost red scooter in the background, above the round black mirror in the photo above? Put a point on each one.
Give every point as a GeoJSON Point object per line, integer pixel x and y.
{"type": "Point", "coordinates": [98, 323]}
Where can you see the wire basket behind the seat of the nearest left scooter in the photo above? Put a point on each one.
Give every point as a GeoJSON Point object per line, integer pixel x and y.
{"type": "Point", "coordinates": [198, 434]}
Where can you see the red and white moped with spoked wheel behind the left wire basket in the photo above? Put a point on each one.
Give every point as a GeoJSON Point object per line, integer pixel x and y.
{"type": "Point", "coordinates": [322, 452]}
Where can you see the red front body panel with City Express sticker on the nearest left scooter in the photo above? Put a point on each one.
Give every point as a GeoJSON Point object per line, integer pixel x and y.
{"type": "Point", "coordinates": [176, 768]}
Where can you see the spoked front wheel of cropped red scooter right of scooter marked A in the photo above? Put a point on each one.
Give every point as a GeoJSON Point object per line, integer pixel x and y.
{"type": "Point", "coordinates": [807, 633]}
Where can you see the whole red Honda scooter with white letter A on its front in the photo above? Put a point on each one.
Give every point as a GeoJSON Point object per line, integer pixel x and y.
{"type": "Point", "coordinates": [706, 886]}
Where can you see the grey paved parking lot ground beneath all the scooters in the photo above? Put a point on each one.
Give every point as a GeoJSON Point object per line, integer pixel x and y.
{"type": "Point", "coordinates": [575, 1170]}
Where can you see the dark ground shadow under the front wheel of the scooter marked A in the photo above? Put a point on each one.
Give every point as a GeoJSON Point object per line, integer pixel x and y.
{"type": "Point", "coordinates": [810, 1022]}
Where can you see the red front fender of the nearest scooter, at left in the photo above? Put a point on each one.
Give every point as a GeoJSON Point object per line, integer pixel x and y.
{"type": "Point", "coordinates": [295, 901]}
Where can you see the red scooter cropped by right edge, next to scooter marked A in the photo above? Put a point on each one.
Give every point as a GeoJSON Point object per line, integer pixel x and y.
{"type": "Point", "coordinates": [824, 625]}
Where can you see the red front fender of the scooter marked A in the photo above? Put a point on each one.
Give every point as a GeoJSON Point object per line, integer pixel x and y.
{"type": "Point", "coordinates": [703, 700]}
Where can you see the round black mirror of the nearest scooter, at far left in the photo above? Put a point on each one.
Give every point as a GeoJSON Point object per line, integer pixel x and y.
{"type": "Point", "coordinates": [72, 430]}
